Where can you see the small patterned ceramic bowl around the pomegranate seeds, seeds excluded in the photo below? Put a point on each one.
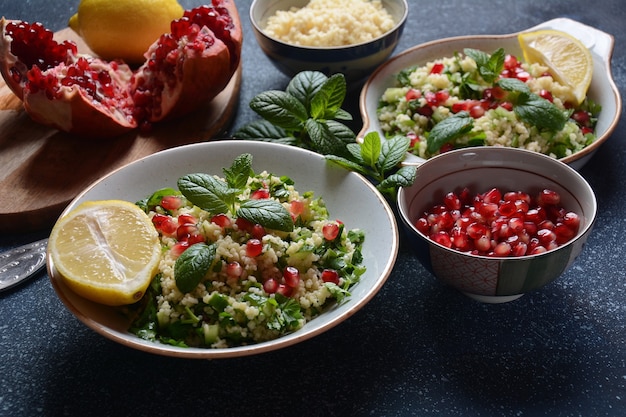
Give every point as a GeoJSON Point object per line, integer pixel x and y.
{"type": "Point", "coordinates": [491, 279]}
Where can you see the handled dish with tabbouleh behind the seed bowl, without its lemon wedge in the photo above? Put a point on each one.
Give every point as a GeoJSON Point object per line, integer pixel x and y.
{"type": "Point", "coordinates": [444, 80]}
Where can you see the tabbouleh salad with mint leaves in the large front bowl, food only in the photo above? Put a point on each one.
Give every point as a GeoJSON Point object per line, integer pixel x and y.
{"type": "Point", "coordinates": [246, 258]}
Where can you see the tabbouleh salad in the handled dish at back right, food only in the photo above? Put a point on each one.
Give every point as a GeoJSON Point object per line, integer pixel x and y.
{"type": "Point", "coordinates": [481, 99]}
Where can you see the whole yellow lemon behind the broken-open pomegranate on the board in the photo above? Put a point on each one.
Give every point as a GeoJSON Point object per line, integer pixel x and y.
{"type": "Point", "coordinates": [123, 29]}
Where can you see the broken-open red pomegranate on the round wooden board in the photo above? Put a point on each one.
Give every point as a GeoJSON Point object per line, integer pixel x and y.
{"type": "Point", "coordinates": [88, 96]}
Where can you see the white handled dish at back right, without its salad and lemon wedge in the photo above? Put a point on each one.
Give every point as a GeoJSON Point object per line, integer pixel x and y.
{"type": "Point", "coordinates": [602, 89]}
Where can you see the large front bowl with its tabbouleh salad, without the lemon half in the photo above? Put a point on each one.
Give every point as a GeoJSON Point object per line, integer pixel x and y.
{"type": "Point", "coordinates": [289, 257]}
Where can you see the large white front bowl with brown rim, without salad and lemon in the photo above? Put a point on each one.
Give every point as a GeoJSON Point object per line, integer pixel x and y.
{"type": "Point", "coordinates": [342, 191]}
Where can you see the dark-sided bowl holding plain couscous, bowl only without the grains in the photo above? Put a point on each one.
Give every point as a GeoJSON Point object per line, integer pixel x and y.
{"type": "Point", "coordinates": [356, 62]}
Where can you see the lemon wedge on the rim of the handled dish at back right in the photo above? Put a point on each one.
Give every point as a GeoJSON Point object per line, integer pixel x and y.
{"type": "Point", "coordinates": [567, 58]}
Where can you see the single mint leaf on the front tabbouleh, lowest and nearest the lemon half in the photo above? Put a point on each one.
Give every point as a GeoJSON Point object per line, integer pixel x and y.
{"type": "Point", "coordinates": [192, 265]}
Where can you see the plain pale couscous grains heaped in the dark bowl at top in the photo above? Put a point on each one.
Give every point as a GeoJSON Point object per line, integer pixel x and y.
{"type": "Point", "coordinates": [328, 23]}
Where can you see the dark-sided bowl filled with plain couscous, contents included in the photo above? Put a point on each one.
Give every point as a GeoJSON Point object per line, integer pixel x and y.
{"type": "Point", "coordinates": [331, 36]}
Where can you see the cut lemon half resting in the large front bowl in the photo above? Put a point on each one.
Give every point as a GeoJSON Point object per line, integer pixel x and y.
{"type": "Point", "coordinates": [106, 251]}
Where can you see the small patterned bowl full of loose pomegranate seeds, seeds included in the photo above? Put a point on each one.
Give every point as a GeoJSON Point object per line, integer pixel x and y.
{"type": "Point", "coordinates": [496, 223]}
